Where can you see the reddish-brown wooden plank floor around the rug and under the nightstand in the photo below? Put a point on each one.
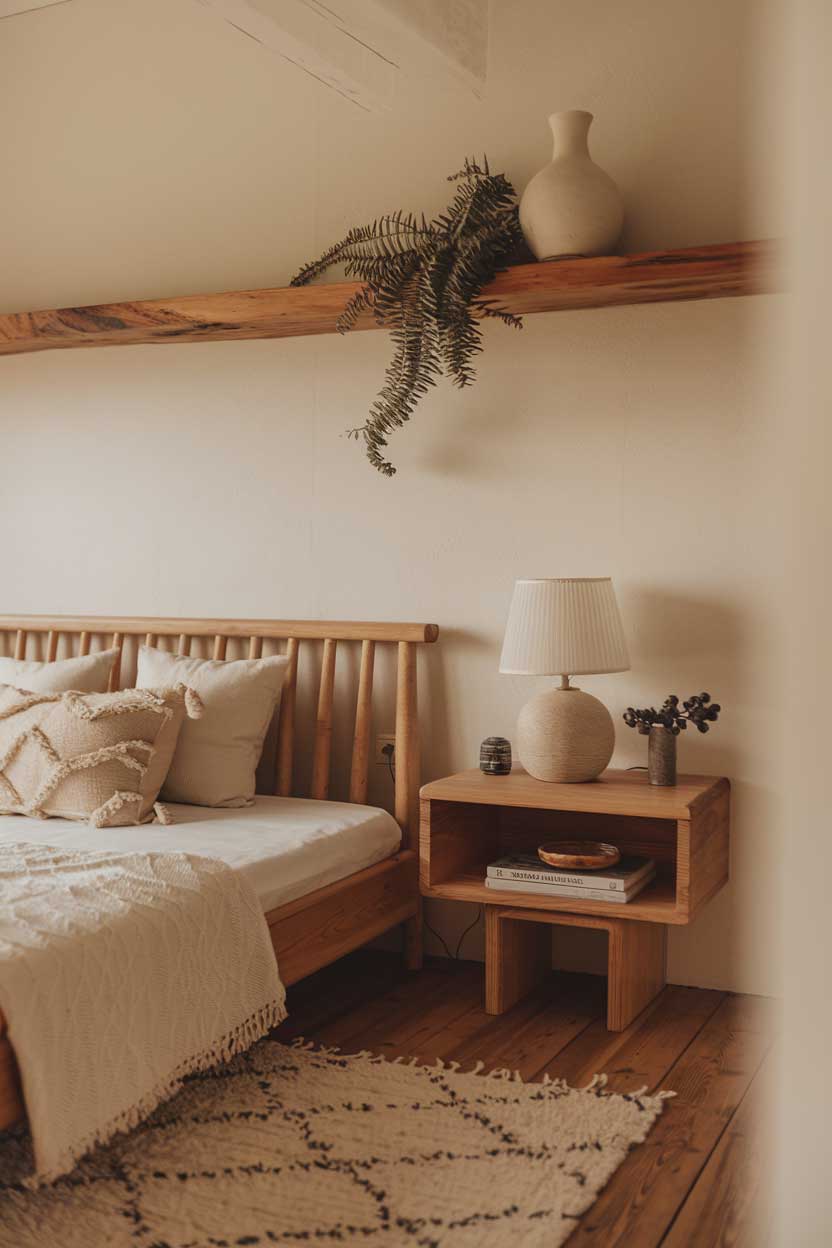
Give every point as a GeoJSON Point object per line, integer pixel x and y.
{"type": "Point", "coordinates": [700, 1180]}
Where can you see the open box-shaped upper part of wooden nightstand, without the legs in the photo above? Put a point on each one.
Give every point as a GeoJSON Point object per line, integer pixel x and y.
{"type": "Point", "coordinates": [471, 819]}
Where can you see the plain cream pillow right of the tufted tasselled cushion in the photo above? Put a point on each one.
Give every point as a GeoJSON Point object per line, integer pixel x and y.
{"type": "Point", "coordinates": [216, 758]}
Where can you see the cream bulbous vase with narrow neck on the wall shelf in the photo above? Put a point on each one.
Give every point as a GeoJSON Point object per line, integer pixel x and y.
{"type": "Point", "coordinates": [572, 208]}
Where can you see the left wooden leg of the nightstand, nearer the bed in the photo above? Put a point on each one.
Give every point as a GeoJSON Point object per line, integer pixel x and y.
{"type": "Point", "coordinates": [518, 958]}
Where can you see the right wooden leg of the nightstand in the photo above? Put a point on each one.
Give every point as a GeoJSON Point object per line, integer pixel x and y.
{"type": "Point", "coordinates": [637, 970]}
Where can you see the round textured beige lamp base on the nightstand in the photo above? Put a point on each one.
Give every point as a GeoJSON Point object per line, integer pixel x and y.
{"type": "Point", "coordinates": [566, 736]}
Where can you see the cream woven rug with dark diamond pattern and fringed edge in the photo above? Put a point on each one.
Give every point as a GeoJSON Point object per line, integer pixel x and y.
{"type": "Point", "coordinates": [294, 1145]}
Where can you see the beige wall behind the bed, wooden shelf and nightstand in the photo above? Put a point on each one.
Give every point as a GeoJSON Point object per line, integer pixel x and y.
{"type": "Point", "coordinates": [154, 152]}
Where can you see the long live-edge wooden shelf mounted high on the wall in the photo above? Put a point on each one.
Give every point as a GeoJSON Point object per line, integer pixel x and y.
{"type": "Point", "coordinates": [708, 273]}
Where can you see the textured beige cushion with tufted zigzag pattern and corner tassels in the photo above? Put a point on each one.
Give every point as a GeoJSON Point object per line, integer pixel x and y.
{"type": "Point", "coordinates": [98, 758]}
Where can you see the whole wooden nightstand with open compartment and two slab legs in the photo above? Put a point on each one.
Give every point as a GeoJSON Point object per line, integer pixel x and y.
{"type": "Point", "coordinates": [471, 819]}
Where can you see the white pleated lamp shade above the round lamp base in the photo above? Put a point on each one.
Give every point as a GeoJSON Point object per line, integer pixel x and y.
{"type": "Point", "coordinates": [564, 627]}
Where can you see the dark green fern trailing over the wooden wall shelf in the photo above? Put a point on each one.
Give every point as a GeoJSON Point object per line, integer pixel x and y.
{"type": "Point", "coordinates": [423, 280]}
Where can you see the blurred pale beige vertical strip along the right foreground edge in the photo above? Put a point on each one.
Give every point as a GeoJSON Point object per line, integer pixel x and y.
{"type": "Point", "coordinates": [805, 1104]}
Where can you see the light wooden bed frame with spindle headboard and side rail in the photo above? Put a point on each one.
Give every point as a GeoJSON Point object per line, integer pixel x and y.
{"type": "Point", "coordinates": [315, 930]}
